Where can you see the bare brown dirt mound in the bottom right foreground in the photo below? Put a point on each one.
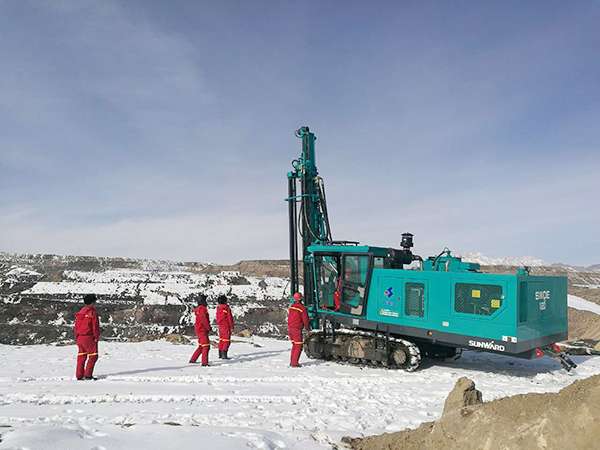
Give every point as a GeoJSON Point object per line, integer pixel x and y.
{"type": "Point", "coordinates": [569, 419]}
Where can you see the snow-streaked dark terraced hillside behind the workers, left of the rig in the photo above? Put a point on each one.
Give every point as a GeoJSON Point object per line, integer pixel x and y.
{"type": "Point", "coordinates": [39, 295]}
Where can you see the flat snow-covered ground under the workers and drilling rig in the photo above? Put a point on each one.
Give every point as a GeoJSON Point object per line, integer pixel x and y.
{"type": "Point", "coordinates": [149, 396]}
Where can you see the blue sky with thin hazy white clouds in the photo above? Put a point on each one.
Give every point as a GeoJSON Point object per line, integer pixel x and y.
{"type": "Point", "coordinates": [165, 129]}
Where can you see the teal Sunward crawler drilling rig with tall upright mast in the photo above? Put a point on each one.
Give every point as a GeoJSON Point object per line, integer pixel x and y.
{"type": "Point", "coordinates": [389, 306]}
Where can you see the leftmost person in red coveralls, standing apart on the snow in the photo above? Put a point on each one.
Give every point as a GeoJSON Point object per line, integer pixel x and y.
{"type": "Point", "coordinates": [87, 333]}
